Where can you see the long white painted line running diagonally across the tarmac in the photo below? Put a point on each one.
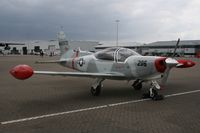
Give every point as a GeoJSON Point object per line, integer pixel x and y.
{"type": "Point", "coordinates": [91, 108]}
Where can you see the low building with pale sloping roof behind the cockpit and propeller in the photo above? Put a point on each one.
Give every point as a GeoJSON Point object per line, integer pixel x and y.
{"type": "Point", "coordinates": [186, 48]}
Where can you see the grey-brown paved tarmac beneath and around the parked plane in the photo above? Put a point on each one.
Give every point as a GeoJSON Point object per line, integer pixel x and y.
{"type": "Point", "coordinates": [52, 104]}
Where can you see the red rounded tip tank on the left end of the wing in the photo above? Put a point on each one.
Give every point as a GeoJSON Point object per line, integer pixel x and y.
{"type": "Point", "coordinates": [22, 72]}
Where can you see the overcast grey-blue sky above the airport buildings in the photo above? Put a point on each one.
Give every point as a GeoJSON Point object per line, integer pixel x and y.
{"type": "Point", "coordinates": [140, 20]}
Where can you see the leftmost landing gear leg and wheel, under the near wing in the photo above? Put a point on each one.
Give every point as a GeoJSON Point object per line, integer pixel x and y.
{"type": "Point", "coordinates": [96, 87]}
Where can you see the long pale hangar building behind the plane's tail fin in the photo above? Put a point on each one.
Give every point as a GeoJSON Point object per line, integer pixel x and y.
{"type": "Point", "coordinates": [48, 47]}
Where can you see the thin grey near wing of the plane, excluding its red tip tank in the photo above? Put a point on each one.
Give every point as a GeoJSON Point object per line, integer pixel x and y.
{"type": "Point", "coordinates": [82, 74]}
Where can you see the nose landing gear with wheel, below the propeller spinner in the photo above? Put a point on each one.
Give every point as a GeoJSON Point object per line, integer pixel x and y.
{"type": "Point", "coordinates": [153, 92]}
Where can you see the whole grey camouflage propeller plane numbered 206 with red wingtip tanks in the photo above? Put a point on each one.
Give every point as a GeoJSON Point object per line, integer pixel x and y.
{"type": "Point", "coordinates": [114, 63]}
